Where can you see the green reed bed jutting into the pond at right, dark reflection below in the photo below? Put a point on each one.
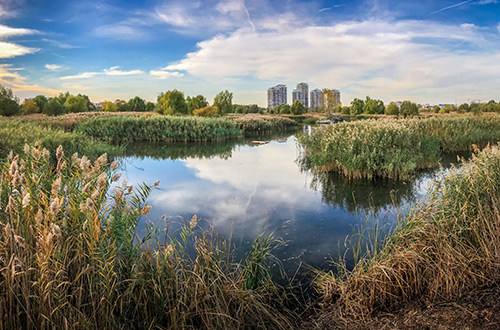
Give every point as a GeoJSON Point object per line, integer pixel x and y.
{"type": "Point", "coordinates": [394, 148]}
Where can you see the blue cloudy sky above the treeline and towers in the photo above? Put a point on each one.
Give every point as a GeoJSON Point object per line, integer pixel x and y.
{"type": "Point", "coordinates": [425, 51]}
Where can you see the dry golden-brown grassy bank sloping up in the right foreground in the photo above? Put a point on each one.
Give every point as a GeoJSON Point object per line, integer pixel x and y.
{"type": "Point", "coordinates": [447, 246]}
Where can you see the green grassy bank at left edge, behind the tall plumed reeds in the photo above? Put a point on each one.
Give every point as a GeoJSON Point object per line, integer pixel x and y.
{"type": "Point", "coordinates": [14, 134]}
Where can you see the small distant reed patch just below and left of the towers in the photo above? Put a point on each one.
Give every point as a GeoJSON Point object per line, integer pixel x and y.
{"type": "Point", "coordinates": [255, 124]}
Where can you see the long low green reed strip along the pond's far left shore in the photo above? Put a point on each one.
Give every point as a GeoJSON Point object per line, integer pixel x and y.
{"type": "Point", "coordinates": [159, 128]}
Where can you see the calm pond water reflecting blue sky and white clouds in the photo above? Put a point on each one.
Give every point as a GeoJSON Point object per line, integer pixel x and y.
{"type": "Point", "coordinates": [246, 189]}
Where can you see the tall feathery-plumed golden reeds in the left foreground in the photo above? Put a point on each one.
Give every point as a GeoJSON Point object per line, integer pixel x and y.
{"type": "Point", "coordinates": [70, 257]}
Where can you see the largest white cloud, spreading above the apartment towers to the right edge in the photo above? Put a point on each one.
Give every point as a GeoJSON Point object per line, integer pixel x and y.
{"type": "Point", "coordinates": [409, 59]}
